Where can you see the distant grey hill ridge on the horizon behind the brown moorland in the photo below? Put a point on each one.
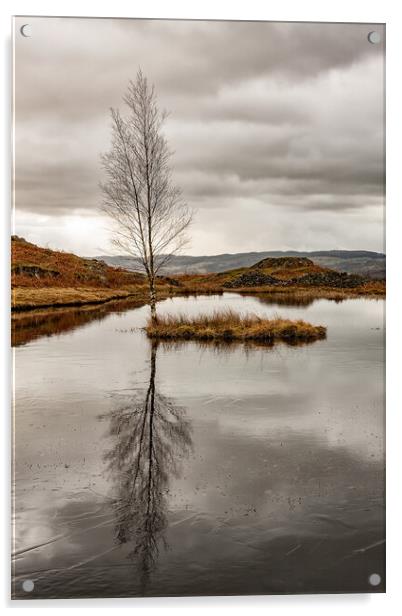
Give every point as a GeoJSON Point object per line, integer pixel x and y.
{"type": "Point", "coordinates": [363, 262]}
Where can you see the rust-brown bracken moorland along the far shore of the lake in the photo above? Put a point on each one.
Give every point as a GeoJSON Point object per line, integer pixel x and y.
{"type": "Point", "coordinates": [41, 277]}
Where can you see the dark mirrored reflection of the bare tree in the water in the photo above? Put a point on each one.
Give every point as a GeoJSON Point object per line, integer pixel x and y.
{"type": "Point", "coordinates": [152, 436]}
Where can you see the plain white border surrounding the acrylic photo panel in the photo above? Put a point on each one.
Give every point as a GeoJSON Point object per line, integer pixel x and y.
{"type": "Point", "coordinates": [292, 10]}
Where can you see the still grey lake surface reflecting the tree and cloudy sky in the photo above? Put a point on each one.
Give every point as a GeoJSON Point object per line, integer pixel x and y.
{"type": "Point", "coordinates": [195, 470]}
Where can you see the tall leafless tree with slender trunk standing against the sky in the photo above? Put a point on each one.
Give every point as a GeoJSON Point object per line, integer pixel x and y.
{"type": "Point", "coordinates": [150, 217]}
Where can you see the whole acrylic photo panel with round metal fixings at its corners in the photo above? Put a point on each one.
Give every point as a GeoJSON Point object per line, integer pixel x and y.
{"type": "Point", "coordinates": [197, 308]}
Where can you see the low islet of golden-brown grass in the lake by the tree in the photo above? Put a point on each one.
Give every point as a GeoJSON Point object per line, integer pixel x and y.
{"type": "Point", "coordinates": [228, 325]}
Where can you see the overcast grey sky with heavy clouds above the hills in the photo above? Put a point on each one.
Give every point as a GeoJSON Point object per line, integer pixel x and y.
{"type": "Point", "coordinates": [277, 129]}
